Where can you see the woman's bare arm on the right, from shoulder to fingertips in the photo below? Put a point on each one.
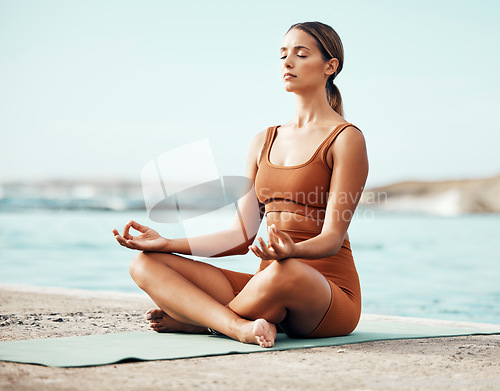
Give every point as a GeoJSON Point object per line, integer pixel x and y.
{"type": "Point", "coordinates": [348, 180]}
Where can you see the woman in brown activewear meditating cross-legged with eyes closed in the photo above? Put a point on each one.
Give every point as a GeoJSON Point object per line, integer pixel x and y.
{"type": "Point", "coordinates": [308, 174]}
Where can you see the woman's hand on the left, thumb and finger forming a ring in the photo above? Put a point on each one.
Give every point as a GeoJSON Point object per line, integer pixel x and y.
{"type": "Point", "coordinates": [148, 240]}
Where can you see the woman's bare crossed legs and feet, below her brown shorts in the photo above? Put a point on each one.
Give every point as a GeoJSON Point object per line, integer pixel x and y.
{"type": "Point", "coordinates": [193, 295]}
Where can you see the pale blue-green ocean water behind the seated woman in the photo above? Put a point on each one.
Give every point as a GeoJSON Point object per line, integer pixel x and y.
{"type": "Point", "coordinates": [409, 265]}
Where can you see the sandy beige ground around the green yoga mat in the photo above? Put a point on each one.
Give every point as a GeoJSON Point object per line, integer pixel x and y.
{"type": "Point", "coordinates": [458, 363]}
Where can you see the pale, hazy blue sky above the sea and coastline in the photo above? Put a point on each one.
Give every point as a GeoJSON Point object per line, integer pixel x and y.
{"type": "Point", "coordinates": [94, 90]}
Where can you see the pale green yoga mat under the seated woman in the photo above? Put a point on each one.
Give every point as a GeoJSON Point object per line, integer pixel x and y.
{"type": "Point", "coordinates": [112, 348]}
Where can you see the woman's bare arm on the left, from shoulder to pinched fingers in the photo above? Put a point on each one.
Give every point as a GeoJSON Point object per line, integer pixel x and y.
{"type": "Point", "coordinates": [232, 241]}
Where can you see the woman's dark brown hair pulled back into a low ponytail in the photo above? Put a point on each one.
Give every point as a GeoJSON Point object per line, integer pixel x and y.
{"type": "Point", "coordinates": [330, 45]}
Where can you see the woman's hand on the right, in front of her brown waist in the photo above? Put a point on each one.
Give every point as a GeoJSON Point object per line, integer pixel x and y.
{"type": "Point", "coordinates": [280, 246]}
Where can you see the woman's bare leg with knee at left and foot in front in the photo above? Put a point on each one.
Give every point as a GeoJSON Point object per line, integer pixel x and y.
{"type": "Point", "coordinates": [188, 303]}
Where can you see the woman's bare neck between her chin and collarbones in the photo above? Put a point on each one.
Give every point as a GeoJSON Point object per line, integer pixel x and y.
{"type": "Point", "coordinates": [312, 107]}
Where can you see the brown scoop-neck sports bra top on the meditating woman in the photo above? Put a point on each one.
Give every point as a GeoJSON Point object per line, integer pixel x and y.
{"type": "Point", "coordinates": [301, 189]}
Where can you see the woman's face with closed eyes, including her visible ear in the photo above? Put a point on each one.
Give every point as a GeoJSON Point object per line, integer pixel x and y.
{"type": "Point", "coordinates": [302, 65]}
